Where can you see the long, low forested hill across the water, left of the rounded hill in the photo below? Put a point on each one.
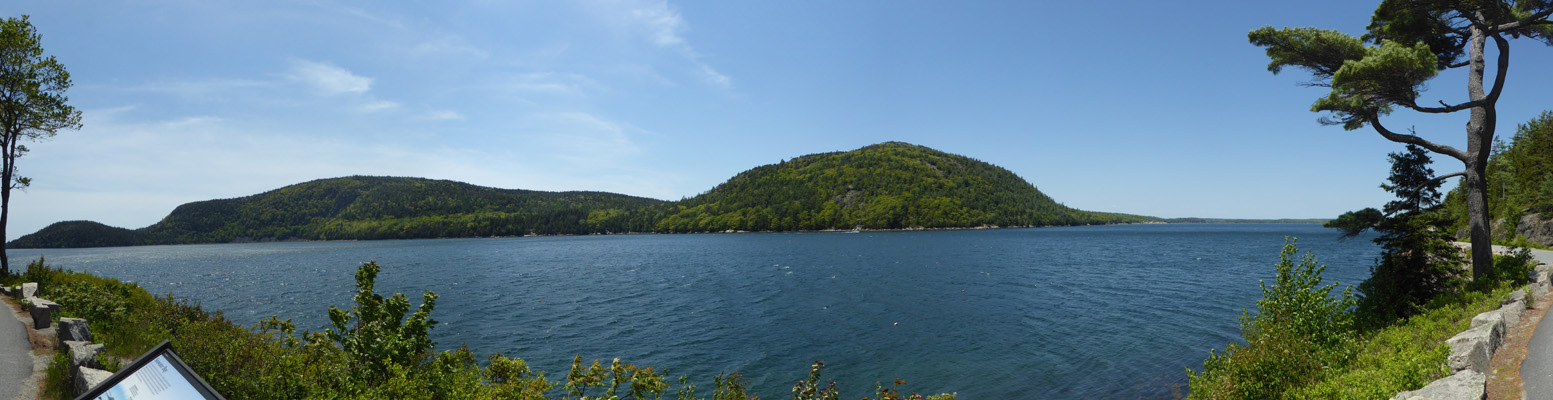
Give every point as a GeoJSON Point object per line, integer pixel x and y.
{"type": "Point", "coordinates": [369, 209]}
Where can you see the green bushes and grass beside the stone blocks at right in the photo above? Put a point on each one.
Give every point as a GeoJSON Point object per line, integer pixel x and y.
{"type": "Point", "coordinates": [1349, 360]}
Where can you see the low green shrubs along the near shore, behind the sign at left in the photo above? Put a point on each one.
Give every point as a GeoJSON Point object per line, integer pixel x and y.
{"type": "Point", "coordinates": [377, 350]}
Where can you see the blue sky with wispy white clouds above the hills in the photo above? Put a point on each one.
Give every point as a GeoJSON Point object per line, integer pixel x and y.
{"type": "Point", "coordinates": [1144, 108]}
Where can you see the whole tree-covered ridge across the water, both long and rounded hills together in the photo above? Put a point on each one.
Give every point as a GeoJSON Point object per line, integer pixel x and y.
{"type": "Point", "coordinates": [883, 187]}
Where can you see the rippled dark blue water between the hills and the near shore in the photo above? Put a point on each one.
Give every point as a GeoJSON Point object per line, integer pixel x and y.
{"type": "Point", "coordinates": [1093, 312]}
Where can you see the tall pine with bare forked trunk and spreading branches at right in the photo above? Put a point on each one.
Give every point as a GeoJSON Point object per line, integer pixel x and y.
{"type": "Point", "coordinates": [1408, 44]}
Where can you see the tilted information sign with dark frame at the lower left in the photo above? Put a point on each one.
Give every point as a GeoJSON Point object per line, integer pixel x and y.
{"type": "Point", "coordinates": [158, 376]}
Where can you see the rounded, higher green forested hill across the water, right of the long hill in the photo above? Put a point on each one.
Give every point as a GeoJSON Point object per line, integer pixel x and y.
{"type": "Point", "coordinates": [883, 187]}
